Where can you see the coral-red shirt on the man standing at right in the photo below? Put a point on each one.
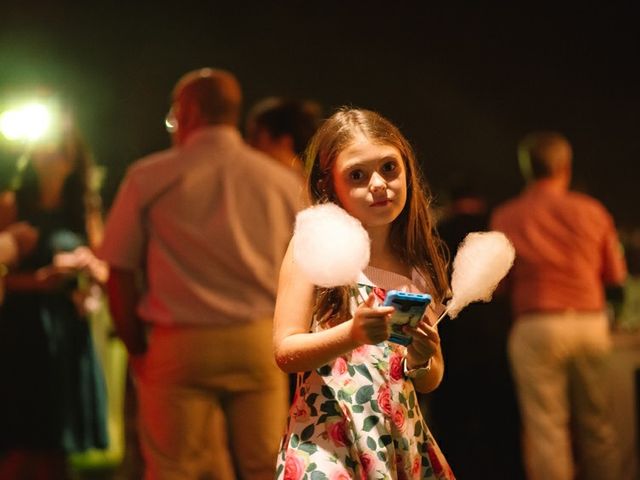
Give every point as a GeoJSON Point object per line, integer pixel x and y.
{"type": "Point", "coordinates": [566, 248]}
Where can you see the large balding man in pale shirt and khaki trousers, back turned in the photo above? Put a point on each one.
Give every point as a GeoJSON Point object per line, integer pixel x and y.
{"type": "Point", "coordinates": [206, 223]}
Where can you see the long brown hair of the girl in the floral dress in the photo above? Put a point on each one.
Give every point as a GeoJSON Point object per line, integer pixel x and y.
{"type": "Point", "coordinates": [413, 235]}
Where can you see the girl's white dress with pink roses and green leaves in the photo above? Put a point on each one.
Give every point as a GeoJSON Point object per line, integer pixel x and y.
{"type": "Point", "coordinates": [358, 416]}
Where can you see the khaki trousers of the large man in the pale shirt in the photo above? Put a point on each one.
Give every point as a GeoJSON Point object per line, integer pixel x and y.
{"type": "Point", "coordinates": [194, 382]}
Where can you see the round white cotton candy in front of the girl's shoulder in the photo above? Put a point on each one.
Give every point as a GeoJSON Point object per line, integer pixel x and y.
{"type": "Point", "coordinates": [330, 246]}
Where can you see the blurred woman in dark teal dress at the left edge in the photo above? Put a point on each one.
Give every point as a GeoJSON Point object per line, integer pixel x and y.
{"type": "Point", "coordinates": [52, 394]}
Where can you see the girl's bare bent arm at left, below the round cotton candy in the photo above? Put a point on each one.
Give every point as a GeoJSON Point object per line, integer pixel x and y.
{"type": "Point", "coordinates": [298, 350]}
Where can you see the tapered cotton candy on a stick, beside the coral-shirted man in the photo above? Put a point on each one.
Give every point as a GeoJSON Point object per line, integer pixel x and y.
{"type": "Point", "coordinates": [483, 259]}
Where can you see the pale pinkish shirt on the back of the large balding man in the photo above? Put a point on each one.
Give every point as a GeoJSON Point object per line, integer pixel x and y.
{"type": "Point", "coordinates": [218, 217]}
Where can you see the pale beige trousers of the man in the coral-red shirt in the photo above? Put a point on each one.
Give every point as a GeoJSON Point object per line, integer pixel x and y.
{"type": "Point", "coordinates": [558, 363]}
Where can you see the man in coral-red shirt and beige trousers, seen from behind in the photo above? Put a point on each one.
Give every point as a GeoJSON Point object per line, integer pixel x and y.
{"type": "Point", "coordinates": [567, 251]}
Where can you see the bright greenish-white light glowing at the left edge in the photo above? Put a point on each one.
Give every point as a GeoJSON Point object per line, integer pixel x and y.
{"type": "Point", "coordinates": [29, 122]}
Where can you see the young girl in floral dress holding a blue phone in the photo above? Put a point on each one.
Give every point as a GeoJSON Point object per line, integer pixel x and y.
{"type": "Point", "coordinates": [355, 413]}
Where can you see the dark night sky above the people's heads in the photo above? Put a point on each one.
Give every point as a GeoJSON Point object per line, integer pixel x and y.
{"type": "Point", "coordinates": [464, 84]}
